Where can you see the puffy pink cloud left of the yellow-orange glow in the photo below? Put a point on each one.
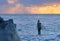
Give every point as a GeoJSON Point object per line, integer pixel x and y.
{"type": "Point", "coordinates": [18, 8]}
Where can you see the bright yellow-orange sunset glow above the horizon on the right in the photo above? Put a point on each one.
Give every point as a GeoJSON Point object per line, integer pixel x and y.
{"type": "Point", "coordinates": [47, 9]}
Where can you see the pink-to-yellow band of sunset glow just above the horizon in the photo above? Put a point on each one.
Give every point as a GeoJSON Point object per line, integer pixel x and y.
{"type": "Point", "coordinates": [45, 9]}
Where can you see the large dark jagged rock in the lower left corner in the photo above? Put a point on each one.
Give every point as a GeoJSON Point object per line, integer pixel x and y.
{"type": "Point", "coordinates": [8, 30]}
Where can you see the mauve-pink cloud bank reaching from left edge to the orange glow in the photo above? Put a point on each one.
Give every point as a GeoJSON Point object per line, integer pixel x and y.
{"type": "Point", "coordinates": [17, 8]}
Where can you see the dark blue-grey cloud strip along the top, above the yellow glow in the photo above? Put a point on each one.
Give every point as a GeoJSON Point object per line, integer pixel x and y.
{"type": "Point", "coordinates": [37, 2]}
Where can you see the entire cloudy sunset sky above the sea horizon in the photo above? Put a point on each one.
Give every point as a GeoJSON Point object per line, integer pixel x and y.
{"type": "Point", "coordinates": [29, 6]}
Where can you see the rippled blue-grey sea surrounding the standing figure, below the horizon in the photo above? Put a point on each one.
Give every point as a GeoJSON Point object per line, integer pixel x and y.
{"type": "Point", "coordinates": [27, 26]}
